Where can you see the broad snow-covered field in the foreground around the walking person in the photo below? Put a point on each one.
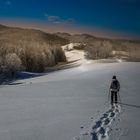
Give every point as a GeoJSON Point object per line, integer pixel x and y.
{"type": "Point", "coordinates": [72, 104]}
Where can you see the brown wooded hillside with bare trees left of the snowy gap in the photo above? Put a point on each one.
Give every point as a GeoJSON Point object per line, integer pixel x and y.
{"type": "Point", "coordinates": [34, 50]}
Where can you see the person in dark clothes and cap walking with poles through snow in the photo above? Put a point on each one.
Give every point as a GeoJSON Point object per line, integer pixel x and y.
{"type": "Point", "coordinates": [114, 89]}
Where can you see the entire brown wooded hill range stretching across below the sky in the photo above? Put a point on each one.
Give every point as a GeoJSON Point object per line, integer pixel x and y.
{"type": "Point", "coordinates": [34, 50]}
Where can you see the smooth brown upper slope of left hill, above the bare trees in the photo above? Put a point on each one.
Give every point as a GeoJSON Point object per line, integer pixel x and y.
{"type": "Point", "coordinates": [18, 34]}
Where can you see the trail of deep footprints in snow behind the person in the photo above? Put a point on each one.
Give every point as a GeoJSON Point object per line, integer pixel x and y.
{"type": "Point", "coordinates": [100, 129]}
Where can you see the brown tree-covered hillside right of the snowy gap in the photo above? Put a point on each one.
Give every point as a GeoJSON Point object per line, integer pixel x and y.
{"type": "Point", "coordinates": [102, 48]}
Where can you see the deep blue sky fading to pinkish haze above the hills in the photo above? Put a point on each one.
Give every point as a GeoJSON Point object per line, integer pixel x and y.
{"type": "Point", "coordinates": [103, 17]}
